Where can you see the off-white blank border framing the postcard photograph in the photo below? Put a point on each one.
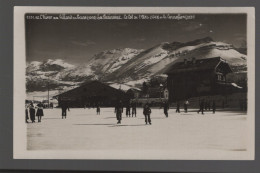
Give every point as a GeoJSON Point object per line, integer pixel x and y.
{"type": "Point", "coordinates": [19, 127]}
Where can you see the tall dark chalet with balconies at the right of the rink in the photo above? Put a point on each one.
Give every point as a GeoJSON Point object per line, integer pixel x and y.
{"type": "Point", "coordinates": [197, 78]}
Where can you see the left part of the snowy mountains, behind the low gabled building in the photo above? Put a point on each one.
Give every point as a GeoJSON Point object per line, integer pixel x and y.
{"type": "Point", "coordinates": [61, 74]}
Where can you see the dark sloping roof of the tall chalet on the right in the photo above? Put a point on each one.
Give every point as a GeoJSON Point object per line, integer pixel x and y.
{"type": "Point", "coordinates": [199, 65]}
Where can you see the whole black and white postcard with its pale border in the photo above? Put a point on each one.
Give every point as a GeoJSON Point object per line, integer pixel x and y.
{"type": "Point", "coordinates": [134, 83]}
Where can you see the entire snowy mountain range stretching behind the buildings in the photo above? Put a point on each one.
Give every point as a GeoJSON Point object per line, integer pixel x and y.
{"type": "Point", "coordinates": [128, 66]}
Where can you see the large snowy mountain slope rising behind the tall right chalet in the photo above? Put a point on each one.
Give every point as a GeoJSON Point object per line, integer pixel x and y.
{"type": "Point", "coordinates": [158, 59]}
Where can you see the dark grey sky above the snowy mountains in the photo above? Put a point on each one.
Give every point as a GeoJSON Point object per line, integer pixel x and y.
{"type": "Point", "coordinates": [76, 41]}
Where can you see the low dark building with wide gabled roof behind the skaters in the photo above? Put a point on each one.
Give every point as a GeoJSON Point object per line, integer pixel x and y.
{"type": "Point", "coordinates": [92, 93]}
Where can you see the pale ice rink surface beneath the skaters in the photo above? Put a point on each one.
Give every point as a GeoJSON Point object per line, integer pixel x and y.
{"type": "Point", "coordinates": [224, 131]}
